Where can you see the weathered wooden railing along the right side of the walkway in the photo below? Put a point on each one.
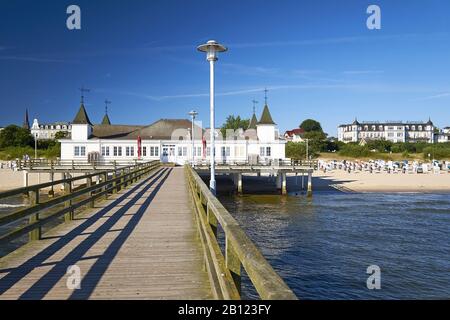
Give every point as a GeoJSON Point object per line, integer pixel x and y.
{"type": "Point", "coordinates": [224, 270]}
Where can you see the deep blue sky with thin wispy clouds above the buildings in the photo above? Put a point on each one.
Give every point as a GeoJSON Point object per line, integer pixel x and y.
{"type": "Point", "coordinates": [317, 59]}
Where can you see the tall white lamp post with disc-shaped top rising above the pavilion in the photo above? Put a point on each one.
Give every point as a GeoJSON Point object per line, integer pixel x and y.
{"type": "Point", "coordinates": [212, 48]}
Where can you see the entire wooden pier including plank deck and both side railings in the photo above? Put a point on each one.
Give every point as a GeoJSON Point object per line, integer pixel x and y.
{"type": "Point", "coordinates": [141, 232]}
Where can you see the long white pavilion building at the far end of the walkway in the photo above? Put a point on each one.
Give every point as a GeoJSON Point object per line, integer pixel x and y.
{"type": "Point", "coordinates": [86, 143]}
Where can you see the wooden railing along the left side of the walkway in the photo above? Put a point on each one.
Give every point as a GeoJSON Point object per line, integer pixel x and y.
{"type": "Point", "coordinates": [108, 181]}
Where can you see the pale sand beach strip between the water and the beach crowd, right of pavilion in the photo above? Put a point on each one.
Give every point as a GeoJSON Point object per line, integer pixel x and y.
{"type": "Point", "coordinates": [381, 182]}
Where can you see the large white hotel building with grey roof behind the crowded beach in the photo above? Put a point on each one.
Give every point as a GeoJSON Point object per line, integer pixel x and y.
{"type": "Point", "coordinates": [390, 131]}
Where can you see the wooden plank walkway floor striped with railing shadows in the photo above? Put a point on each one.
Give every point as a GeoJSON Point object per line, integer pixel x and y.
{"type": "Point", "coordinates": [141, 243]}
